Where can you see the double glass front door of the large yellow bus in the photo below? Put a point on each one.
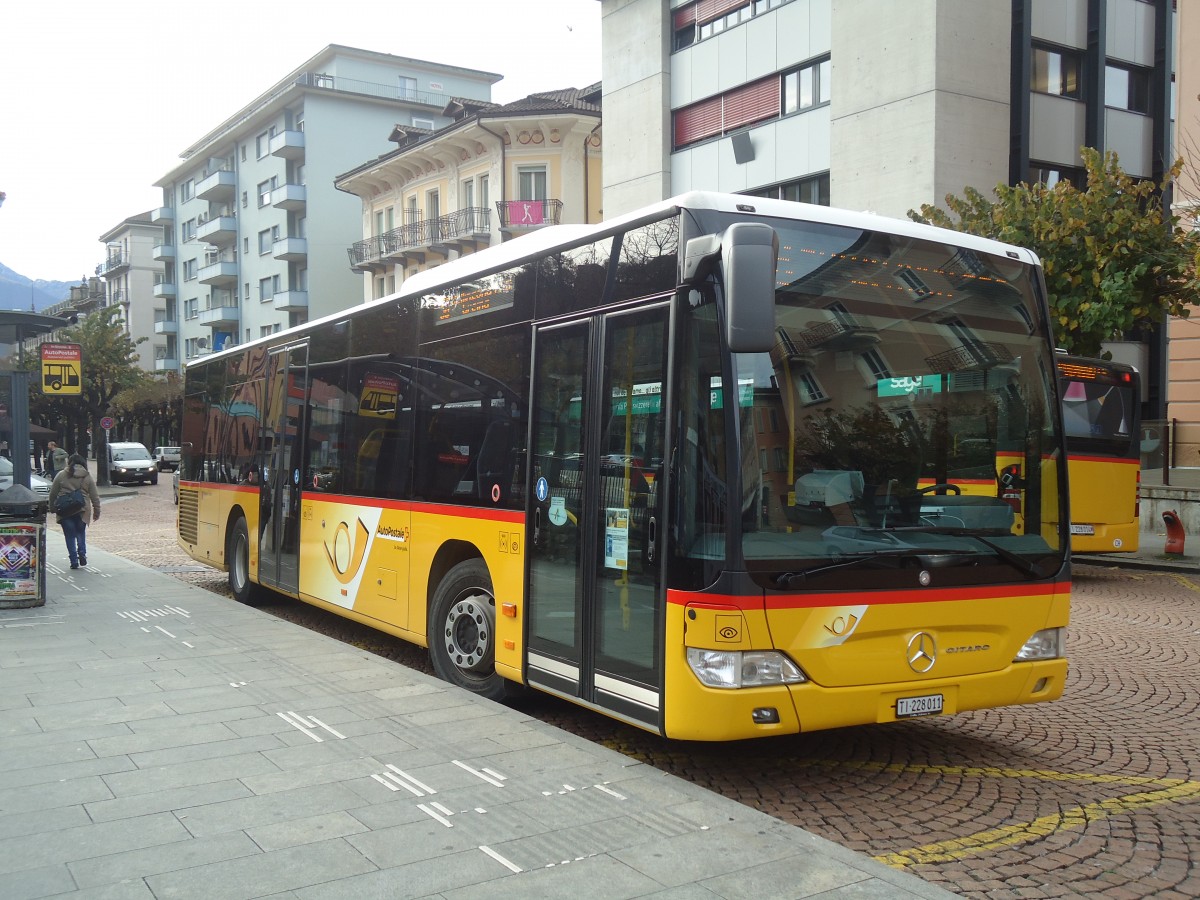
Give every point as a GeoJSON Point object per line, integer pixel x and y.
{"type": "Point", "coordinates": [596, 523]}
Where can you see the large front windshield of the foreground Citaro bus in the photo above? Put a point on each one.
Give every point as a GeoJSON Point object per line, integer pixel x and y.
{"type": "Point", "coordinates": [905, 418]}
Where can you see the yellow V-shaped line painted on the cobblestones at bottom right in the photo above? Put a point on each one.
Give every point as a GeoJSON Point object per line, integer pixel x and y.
{"type": "Point", "coordinates": [1024, 832]}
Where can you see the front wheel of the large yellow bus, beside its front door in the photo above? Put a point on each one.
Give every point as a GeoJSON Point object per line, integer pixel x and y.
{"type": "Point", "coordinates": [463, 631]}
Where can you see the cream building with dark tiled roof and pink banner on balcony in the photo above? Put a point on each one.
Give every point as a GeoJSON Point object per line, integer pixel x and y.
{"type": "Point", "coordinates": [431, 200]}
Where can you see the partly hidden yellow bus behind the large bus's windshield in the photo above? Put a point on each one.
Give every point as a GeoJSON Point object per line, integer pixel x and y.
{"type": "Point", "coordinates": [1102, 419]}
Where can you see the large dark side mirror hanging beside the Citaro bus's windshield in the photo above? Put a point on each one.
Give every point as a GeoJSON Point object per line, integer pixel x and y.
{"type": "Point", "coordinates": [749, 254]}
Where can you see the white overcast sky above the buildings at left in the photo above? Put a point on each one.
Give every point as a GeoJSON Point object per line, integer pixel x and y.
{"type": "Point", "coordinates": [98, 100]}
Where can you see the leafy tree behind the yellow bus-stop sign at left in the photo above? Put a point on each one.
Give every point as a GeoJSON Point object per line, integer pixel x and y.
{"type": "Point", "coordinates": [110, 367]}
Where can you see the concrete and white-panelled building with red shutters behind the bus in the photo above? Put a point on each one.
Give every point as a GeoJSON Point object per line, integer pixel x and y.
{"type": "Point", "coordinates": [883, 106]}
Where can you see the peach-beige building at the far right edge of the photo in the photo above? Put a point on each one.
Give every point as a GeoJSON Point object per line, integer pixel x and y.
{"type": "Point", "coordinates": [1184, 371]}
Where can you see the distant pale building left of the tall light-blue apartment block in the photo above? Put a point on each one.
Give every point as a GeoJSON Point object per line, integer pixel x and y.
{"type": "Point", "coordinates": [129, 273]}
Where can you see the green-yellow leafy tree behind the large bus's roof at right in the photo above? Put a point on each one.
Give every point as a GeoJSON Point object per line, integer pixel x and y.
{"type": "Point", "coordinates": [1114, 262]}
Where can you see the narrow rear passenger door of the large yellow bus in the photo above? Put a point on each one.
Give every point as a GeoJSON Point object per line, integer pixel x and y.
{"type": "Point", "coordinates": [279, 521]}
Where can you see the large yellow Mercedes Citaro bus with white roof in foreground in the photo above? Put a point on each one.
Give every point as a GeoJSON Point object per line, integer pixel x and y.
{"type": "Point", "coordinates": [669, 467]}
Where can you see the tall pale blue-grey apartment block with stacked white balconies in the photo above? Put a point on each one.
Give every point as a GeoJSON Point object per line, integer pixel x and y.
{"type": "Point", "coordinates": [253, 230]}
